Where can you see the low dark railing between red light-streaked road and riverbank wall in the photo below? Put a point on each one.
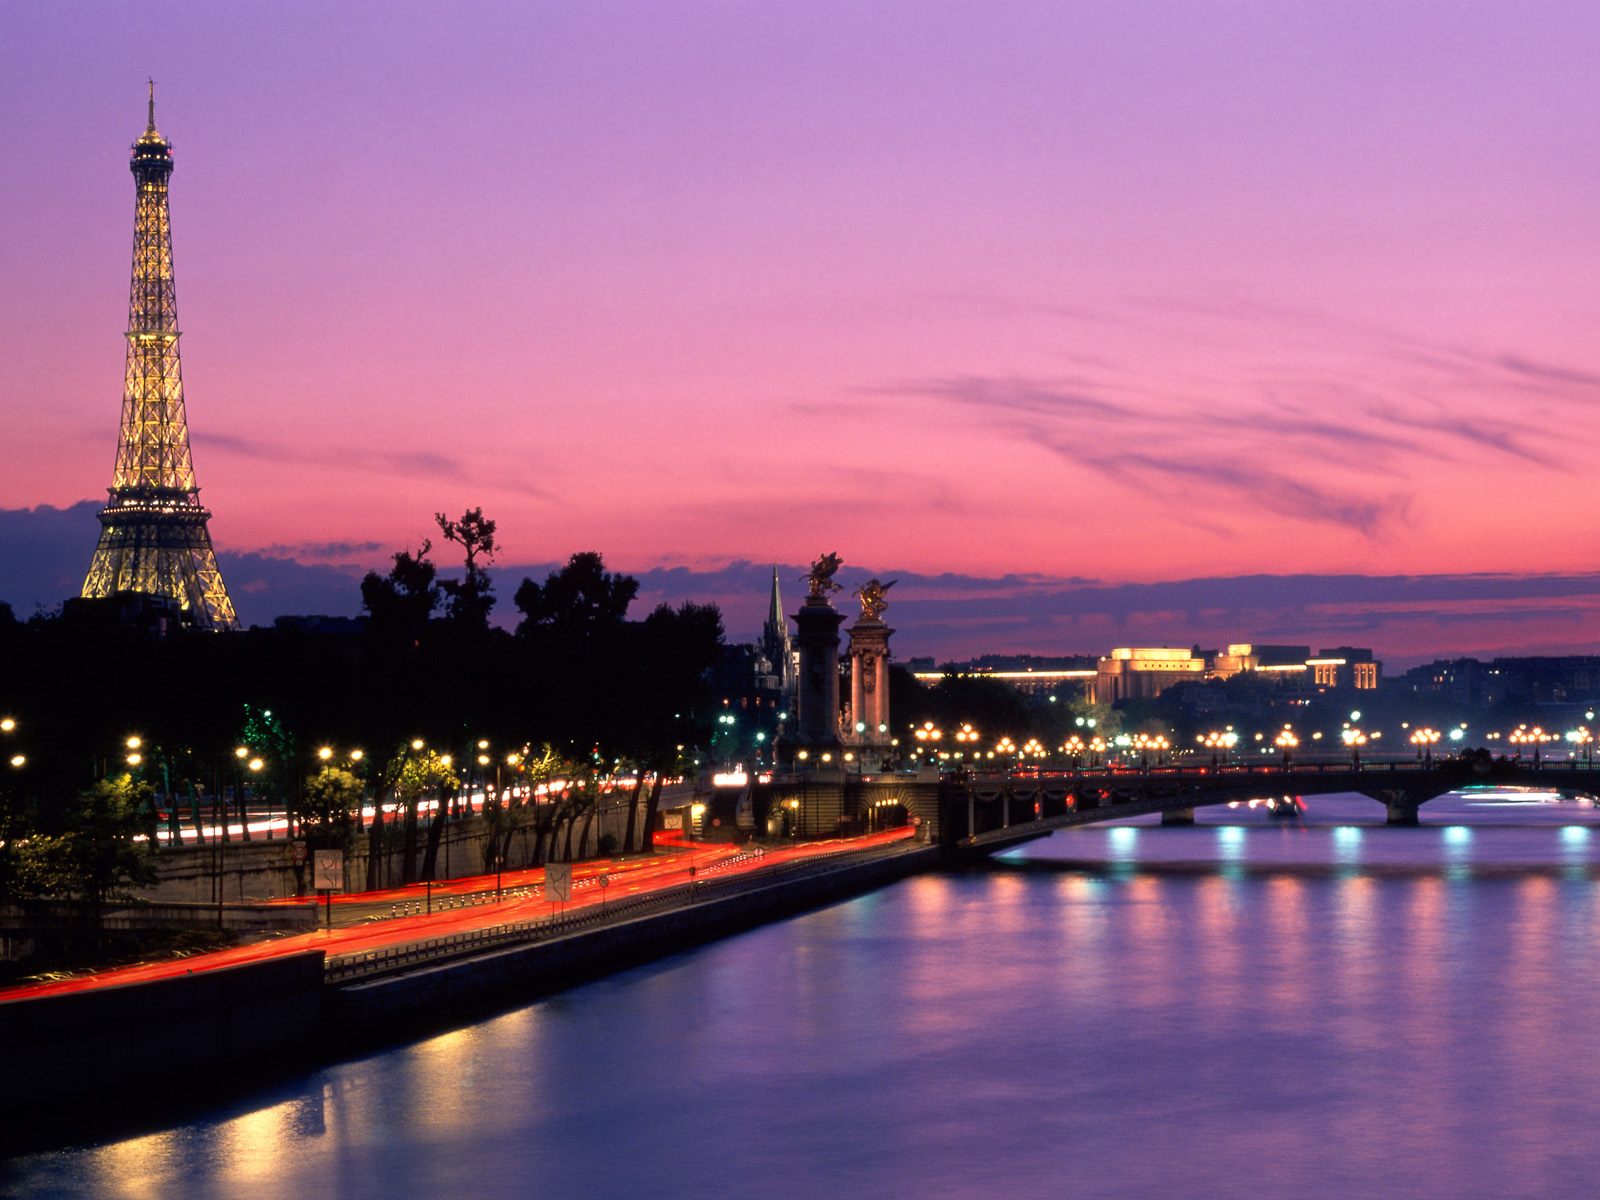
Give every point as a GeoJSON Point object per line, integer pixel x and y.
{"type": "Point", "coordinates": [369, 964]}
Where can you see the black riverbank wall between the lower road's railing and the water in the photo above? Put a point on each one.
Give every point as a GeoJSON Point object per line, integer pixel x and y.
{"type": "Point", "coordinates": [114, 1062]}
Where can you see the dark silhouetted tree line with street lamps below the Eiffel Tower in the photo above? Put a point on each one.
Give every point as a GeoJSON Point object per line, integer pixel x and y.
{"type": "Point", "coordinates": [425, 698]}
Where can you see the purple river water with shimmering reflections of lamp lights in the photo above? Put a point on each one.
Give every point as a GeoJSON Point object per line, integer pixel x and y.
{"type": "Point", "coordinates": [1246, 1009]}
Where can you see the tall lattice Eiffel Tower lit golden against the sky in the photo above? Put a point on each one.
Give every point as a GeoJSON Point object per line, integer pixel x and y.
{"type": "Point", "coordinates": [154, 534]}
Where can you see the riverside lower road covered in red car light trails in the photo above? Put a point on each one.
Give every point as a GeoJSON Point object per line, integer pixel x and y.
{"type": "Point", "coordinates": [361, 921]}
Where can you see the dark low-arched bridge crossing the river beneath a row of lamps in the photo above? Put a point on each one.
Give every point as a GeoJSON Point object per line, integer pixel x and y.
{"type": "Point", "coordinates": [991, 812]}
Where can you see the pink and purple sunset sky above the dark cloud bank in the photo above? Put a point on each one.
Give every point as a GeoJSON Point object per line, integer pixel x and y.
{"type": "Point", "coordinates": [1127, 292]}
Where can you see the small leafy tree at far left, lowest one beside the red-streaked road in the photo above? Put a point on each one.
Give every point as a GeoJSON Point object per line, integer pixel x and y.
{"type": "Point", "coordinates": [89, 854]}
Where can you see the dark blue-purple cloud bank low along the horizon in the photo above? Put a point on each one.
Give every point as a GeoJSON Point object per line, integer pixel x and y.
{"type": "Point", "coordinates": [44, 554]}
